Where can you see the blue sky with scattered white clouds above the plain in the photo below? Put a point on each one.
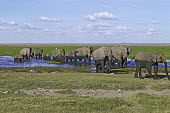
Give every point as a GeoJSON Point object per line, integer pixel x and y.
{"type": "Point", "coordinates": [84, 21]}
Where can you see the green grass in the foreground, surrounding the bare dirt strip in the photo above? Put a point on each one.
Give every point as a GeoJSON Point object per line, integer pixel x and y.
{"type": "Point", "coordinates": [68, 101]}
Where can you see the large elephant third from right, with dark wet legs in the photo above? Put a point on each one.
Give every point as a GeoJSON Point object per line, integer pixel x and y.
{"type": "Point", "coordinates": [103, 58]}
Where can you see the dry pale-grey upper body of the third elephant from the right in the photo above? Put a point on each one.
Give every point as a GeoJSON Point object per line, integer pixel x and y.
{"type": "Point", "coordinates": [102, 53]}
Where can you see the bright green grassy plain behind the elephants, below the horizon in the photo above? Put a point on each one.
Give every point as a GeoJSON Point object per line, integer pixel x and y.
{"type": "Point", "coordinates": [11, 50]}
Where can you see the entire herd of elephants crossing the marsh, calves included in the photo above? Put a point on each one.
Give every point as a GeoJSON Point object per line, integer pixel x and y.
{"type": "Point", "coordinates": [104, 58]}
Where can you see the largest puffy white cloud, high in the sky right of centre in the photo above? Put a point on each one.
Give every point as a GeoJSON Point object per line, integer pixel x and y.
{"type": "Point", "coordinates": [102, 16]}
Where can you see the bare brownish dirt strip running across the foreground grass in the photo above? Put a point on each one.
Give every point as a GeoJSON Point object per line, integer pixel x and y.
{"type": "Point", "coordinates": [95, 93]}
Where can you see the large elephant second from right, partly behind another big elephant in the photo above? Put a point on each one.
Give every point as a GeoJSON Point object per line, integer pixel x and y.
{"type": "Point", "coordinates": [120, 54]}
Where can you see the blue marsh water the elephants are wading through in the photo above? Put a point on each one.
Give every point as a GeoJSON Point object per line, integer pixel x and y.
{"type": "Point", "coordinates": [8, 61]}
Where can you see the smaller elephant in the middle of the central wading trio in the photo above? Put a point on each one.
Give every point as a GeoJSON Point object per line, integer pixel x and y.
{"type": "Point", "coordinates": [70, 55]}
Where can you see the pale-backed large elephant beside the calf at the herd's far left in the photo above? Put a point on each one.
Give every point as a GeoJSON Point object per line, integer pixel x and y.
{"type": "Point", "coordinates": [26, 52]}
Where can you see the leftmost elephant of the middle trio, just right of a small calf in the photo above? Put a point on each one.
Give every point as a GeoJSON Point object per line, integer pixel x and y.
{"type": "Point", "coordinates": [59, 55]}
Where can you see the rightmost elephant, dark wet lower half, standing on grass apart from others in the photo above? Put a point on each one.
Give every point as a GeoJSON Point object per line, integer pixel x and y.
{"type": "Point", "coordinates": [147, 59]}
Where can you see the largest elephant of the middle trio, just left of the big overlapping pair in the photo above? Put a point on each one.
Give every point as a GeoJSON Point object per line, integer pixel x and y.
{"type": "Point", "coordinates": [84, 53]}
